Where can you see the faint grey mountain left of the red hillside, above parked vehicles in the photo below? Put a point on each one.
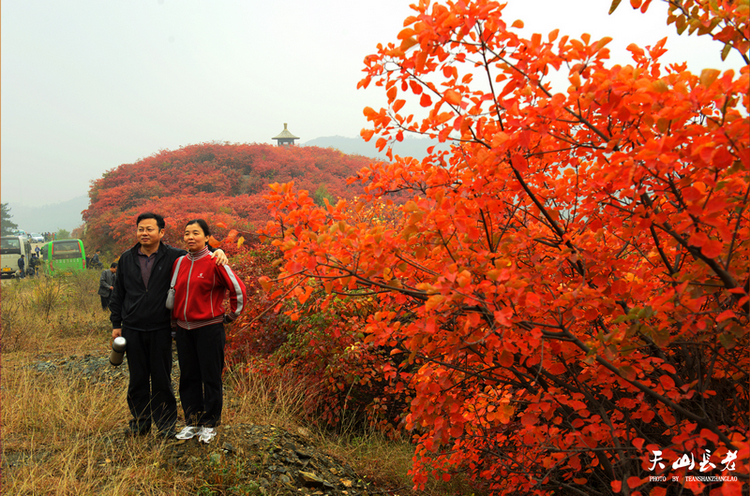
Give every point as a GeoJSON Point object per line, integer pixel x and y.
{"type": "Point", "coordinates": [50, 218]}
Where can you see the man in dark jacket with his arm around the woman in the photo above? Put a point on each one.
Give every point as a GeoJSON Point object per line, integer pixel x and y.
{"type": "Point", "coordinates": [139, 314]}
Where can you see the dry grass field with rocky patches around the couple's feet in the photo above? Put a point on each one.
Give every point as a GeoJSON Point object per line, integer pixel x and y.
{"type": "Point", "coordinates": [64, 414]}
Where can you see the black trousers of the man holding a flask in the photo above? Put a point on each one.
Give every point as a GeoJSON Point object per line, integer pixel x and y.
{"type": "Point", "coordinates": [150, 395]}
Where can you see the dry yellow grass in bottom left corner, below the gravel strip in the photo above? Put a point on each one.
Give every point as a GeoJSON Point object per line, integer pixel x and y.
{"type": "Point", "coordinates": [60, 434]}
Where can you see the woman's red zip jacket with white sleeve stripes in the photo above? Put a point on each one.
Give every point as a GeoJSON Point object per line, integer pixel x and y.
{"type": "Point", "coordinates": [200, 289]}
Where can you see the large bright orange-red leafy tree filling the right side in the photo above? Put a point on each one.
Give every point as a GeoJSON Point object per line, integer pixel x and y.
{"type": "Point", "coordinates": [566, 292]}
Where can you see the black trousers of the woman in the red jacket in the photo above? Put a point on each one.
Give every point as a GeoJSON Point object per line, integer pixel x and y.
{"type": "Point", "coordinates": [201, 355]}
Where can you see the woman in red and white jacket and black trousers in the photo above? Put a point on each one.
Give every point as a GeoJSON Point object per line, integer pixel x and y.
{"type": "Point", "coordinates": [200, 287]}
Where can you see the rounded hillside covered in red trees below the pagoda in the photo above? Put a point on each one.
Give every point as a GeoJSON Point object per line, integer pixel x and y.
{"type": "Point", "coordinates": [221, 182]}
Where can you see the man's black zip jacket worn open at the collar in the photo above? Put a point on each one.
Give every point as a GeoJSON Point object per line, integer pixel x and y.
{"type": "Point", "coordinates": [132, 305]}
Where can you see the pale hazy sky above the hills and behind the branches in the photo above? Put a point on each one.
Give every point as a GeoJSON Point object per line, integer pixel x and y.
{"type": "Point", "coordinates": [88, 85]}
